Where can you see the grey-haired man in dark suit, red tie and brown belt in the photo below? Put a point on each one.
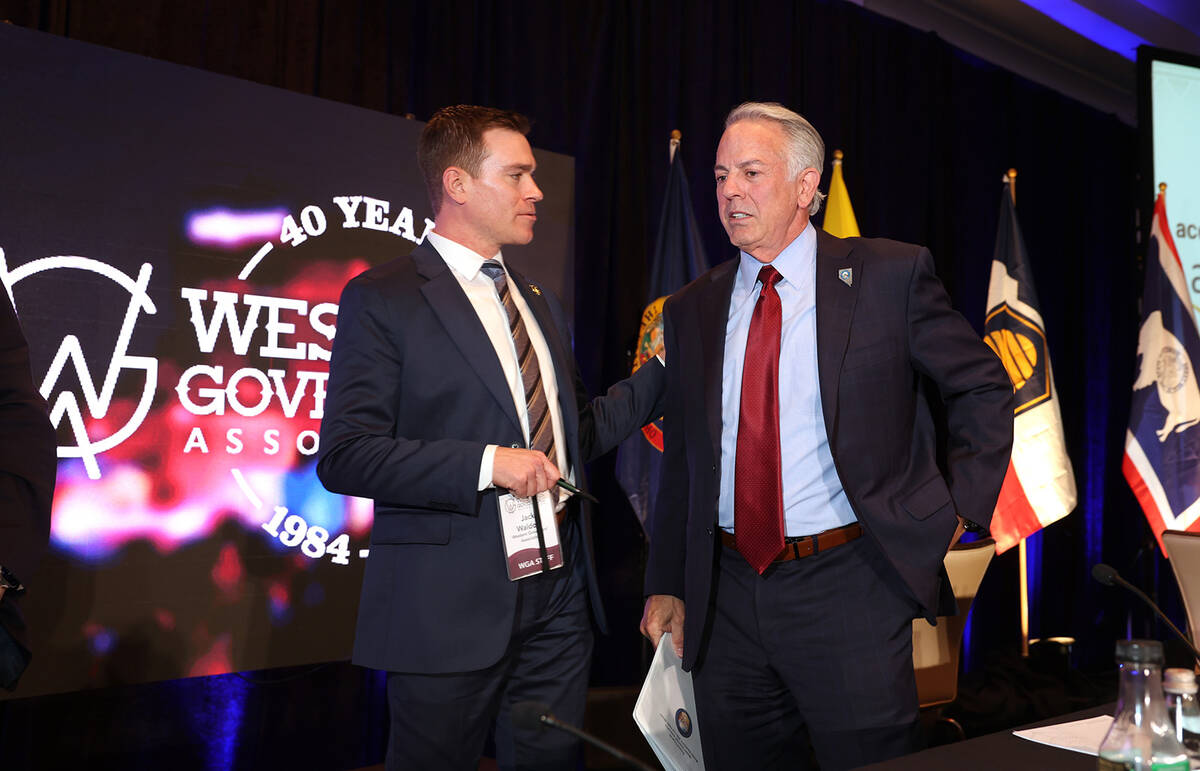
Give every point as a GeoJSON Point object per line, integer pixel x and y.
{"type": "Point", "coordinates": [803, 518]}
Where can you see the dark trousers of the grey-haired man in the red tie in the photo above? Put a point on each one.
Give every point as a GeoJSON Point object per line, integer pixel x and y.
{"type": "Point", "coordinates": [815, 650]}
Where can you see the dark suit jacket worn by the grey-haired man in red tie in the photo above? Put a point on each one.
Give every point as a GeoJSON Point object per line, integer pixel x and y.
{"type": "Point", "coordinates": [883, 340]}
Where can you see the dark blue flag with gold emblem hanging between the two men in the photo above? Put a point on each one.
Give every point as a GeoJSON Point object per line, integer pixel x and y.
{"type": "Point", "coordinates": [679, 259]}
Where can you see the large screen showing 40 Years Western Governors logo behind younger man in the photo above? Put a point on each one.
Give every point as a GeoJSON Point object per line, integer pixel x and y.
{"type": "Point", "coordinates": [176, 244]}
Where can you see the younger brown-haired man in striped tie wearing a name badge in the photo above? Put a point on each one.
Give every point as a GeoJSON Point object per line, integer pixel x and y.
{"type": "Point", "coordinates": [453, 395]}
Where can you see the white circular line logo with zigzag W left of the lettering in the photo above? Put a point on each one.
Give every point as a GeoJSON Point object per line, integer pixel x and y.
{"type": "Point", "coordinates": [65, 405]}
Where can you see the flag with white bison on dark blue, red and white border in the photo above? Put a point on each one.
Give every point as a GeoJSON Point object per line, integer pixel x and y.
{"type": "Point", "coordinates": [1162, 459]}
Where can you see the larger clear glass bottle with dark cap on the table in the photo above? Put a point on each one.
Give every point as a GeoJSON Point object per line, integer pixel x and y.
{"type": "Point", "coordinates": [1142, 738]}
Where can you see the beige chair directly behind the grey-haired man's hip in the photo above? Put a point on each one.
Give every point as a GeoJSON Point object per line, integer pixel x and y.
{"type": "Point", "coordinates": [935, 650]}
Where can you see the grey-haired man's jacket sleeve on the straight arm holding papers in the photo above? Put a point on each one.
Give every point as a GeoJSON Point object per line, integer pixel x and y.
{"type": "Point", "coordinates": [665, 567]}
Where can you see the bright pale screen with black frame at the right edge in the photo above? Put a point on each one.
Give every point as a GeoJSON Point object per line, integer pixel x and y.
{"type": "Point", "coordinates": [1169, 118]}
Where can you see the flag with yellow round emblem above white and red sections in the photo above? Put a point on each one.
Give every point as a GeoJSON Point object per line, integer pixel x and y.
{"type": "Point", "coordinates": [1040, 487]}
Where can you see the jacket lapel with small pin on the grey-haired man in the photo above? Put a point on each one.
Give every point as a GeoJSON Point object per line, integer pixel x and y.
{"type": "Point", "coordinates": [836, 309]}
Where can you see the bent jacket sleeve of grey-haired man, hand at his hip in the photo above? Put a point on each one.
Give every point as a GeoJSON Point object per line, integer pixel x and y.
{"type": "Point", "coordinates": [975, 390]}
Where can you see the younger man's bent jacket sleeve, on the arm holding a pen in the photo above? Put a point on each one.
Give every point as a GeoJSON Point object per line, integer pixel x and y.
{"type": "Point", "coordinates": [363, 452]}
